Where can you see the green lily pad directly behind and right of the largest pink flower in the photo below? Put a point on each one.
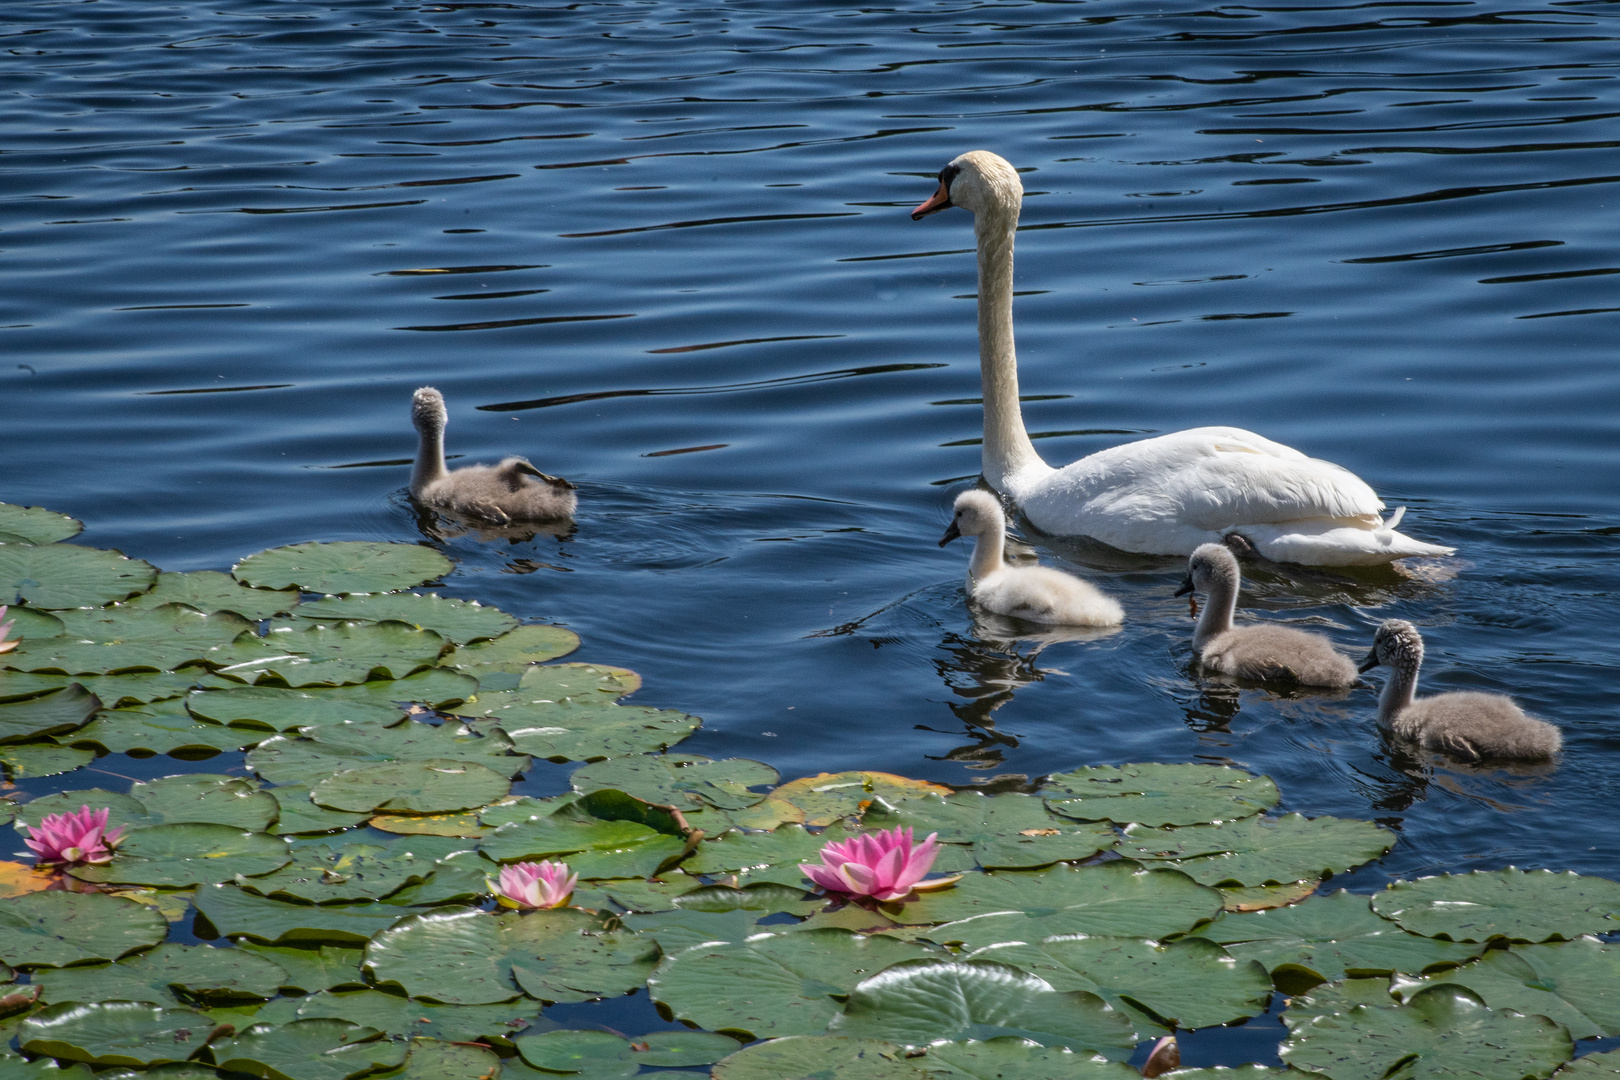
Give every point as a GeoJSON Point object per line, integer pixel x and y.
{"type": "Point", "coordinates": [1007, 831]}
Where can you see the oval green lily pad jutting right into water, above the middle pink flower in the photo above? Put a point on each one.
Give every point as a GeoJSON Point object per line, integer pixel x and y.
{"type": "Point", "coordinates": [590, 733]}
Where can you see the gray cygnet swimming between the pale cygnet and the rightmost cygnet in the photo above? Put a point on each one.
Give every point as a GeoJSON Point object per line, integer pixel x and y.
{"type": "Point", "coordinates": [1260, 652]}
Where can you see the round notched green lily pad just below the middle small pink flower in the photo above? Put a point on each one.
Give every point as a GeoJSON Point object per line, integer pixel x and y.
{"type": "Point", "coordinates": [471, 958]}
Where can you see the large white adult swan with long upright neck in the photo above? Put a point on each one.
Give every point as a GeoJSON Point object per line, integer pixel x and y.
{"type": "Point", "coordinates": [1159, 496]}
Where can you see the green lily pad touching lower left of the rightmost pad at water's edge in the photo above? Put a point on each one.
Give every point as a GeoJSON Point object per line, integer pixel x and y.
{"type": "Point", "coordinates": [1332, 938]}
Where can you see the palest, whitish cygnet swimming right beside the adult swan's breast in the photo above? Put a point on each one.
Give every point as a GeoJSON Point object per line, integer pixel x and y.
{"type": "Point", "coordinates": [1031, 593]}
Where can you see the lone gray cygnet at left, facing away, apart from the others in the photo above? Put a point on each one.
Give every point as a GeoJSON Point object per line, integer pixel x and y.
{"type": "Point", "coordinates": [513, 491]}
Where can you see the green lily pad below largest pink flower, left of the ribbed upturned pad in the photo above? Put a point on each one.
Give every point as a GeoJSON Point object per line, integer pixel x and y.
{"type": "Point", "coordinates": [774, 985]}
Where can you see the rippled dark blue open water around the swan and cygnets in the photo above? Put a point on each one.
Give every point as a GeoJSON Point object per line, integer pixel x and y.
{"type": "Point", "coordinates": [663, 250]}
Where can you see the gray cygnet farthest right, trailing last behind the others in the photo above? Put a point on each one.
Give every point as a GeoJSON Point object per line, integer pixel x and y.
{"type": "Point", "coordinates": [1467, 725]}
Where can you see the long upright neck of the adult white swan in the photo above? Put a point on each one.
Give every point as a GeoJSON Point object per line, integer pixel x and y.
{"type": "Point", "coordinates": [1007, 451]}
